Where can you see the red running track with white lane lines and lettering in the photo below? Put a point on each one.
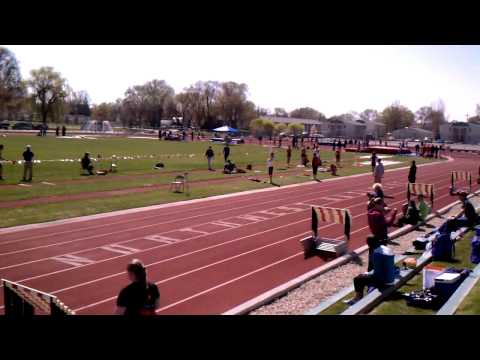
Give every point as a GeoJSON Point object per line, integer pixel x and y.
{"type": "Point", "coordinates": [211, 268]}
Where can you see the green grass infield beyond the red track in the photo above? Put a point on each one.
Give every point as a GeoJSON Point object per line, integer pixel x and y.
{"type": "Point", "coordinates": [138, 173]}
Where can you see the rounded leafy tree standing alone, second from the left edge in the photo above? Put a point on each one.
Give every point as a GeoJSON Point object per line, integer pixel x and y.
{"type": "Point", "coordinates": [48, 90]}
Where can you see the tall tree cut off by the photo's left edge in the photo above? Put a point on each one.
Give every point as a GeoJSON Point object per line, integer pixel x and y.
{"type": "Point", "coordinates": [12, 89]}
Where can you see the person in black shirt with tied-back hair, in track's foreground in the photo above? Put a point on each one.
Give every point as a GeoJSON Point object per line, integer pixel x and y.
{"type": "Point", "coordinates": [140, 297]}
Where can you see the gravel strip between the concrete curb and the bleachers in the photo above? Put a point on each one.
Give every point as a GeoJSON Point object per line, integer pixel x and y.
{"type": "Point", "coordinates": [310, 294]}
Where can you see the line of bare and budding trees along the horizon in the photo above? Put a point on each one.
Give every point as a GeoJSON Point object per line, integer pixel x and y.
{"type": "Point", "coordinates": [46, 96]}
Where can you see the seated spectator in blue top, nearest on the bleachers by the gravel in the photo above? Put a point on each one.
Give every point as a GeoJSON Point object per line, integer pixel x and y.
{"type": "Point", "coordinates": [379, 277]}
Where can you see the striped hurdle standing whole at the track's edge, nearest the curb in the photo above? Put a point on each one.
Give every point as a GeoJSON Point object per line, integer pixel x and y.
{"type": "Point", "coordinates": [316, 243]}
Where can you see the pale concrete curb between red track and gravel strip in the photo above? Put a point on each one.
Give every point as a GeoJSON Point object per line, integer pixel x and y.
{"type": "Point", "coordinates": [283, 289]}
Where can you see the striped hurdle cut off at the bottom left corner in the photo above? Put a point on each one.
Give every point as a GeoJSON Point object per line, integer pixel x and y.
{"type": "Point", "coordinates": [21, 300]}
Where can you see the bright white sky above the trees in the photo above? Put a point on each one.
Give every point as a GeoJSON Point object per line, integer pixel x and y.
{"type": "Point", "coordinates": [332, 79]}
